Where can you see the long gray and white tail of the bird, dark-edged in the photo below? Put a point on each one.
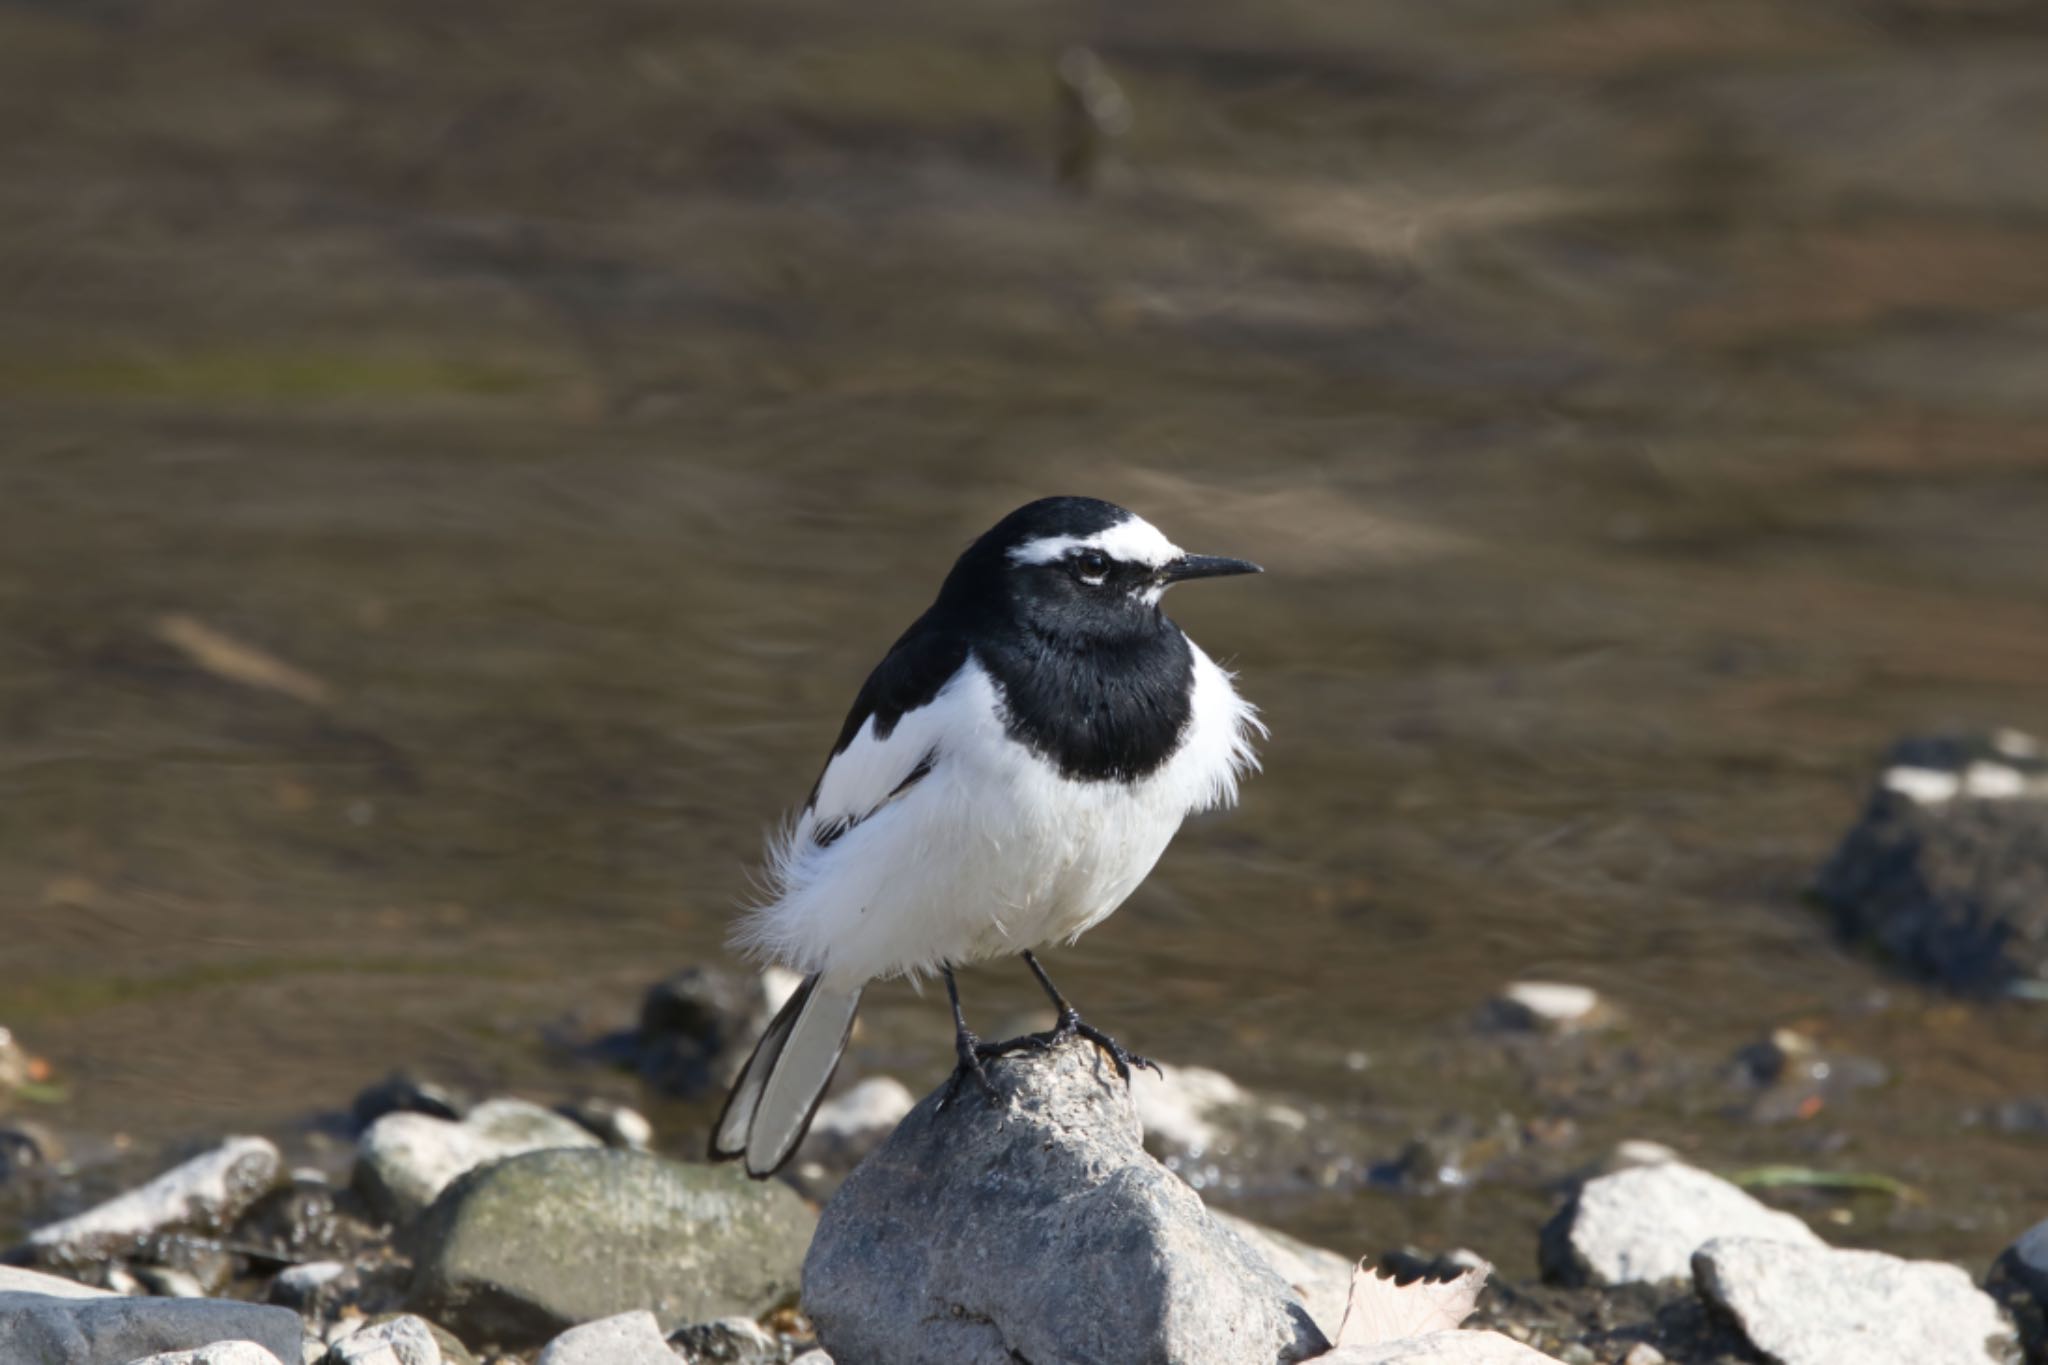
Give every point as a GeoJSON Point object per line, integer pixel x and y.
{"type": "Point", "coordinates": [775, 1098]}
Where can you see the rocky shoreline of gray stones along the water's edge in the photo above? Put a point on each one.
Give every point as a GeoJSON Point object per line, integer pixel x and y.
{"type": "Point", "coordinates": [1062, 1223]}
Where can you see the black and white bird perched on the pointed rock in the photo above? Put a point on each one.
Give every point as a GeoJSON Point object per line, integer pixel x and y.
{"type": "Point", "coordinates": [1007, 779]}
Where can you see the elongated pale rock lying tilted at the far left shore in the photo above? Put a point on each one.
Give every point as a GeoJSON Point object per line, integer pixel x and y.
{"type": "Point", "coordinates": [202, 1196]}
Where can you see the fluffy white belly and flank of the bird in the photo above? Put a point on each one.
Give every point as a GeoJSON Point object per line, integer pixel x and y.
{"type": "Point", "coordinates": [994, 852]}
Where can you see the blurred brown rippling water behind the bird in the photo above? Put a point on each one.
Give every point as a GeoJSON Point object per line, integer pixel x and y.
{"type": "Point", "coordinates": [458, 464]}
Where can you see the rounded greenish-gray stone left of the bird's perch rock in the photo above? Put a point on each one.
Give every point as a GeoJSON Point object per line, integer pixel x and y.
{"type": "Point", "coordinates": [525, 1249]}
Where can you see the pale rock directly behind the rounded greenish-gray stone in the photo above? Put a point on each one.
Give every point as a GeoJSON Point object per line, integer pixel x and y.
{"type": "Point", "coordinates": [407, 1159]}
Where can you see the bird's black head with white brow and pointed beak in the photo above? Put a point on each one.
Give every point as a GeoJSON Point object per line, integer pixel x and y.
{"type": "Point", "coordinates": [1080, 568]}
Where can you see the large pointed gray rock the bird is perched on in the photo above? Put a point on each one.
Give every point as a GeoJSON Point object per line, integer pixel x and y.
{"type": "Point", "coordinates": [1039, 1229]}
